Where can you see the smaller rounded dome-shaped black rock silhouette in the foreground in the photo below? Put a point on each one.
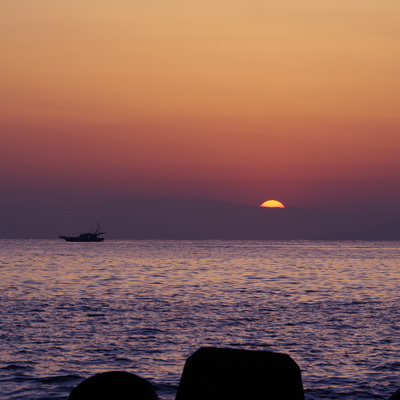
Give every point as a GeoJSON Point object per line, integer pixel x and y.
{"type": "Point", "coordinates": [114, 385]}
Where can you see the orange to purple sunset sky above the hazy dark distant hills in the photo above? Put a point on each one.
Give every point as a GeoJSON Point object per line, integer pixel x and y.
{"type": "Point", "coordinates": [241, 101]}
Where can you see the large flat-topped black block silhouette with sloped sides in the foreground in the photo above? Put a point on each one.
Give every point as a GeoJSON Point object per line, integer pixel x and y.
{"type": "Point", "coordinates": [230, 374]}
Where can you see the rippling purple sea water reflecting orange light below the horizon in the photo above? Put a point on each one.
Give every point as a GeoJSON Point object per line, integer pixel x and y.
{"type": "Point", "coordinates": [70, 310]}
